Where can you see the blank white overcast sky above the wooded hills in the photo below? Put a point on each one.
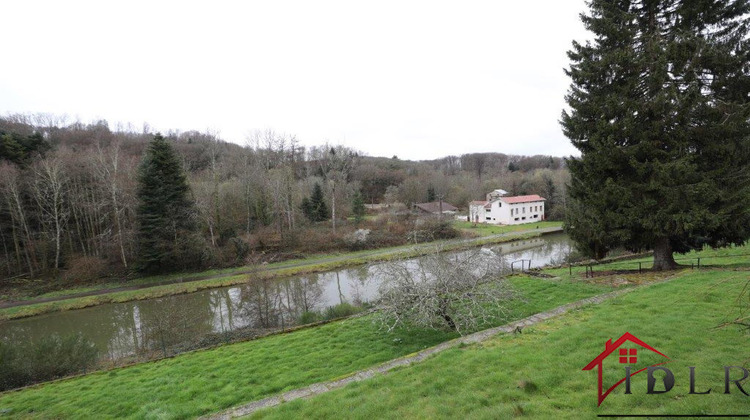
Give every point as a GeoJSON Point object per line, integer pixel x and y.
{"type": "Point", "coordinates": [418, 79]}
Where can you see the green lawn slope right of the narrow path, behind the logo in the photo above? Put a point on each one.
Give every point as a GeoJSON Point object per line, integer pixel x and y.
{"type": "Point", "coordinates": [537, 374]}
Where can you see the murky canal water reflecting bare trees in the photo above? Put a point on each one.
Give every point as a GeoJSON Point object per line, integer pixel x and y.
{"type": "Point", "coordinates": [155, 327]}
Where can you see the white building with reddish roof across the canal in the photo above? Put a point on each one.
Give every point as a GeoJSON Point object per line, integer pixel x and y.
{"type": "Point", "coordinates": [501, 210]}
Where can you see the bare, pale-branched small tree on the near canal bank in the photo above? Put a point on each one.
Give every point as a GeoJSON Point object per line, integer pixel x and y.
{"type": "Point", "coordinates": [458, 292]}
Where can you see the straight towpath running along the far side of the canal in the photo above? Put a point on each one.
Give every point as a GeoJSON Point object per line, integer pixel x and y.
{"type": "Point", "coordinates": [374, 254]}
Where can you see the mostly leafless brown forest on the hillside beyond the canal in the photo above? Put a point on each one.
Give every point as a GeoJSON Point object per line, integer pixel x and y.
{"type": "Point", "coordinates": [69, 197]}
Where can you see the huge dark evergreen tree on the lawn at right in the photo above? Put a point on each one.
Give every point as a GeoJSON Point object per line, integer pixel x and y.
{"type": "Point", "coordinates": [659, 111]}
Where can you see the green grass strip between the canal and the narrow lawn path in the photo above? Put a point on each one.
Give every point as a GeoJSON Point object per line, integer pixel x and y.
{"type": "Point", "coordinates": [207, 381]}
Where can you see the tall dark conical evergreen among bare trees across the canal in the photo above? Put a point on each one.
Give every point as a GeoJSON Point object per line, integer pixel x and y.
{"type": "Point", "coordinates": [166, 212]}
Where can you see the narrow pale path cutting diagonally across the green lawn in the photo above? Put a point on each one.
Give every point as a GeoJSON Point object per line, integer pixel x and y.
{"type": "Point", "coordinates": [384, 368]}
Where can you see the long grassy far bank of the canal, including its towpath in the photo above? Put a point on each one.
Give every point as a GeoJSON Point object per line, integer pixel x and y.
{"type": "Point", "coordinates": [155, 287]}
